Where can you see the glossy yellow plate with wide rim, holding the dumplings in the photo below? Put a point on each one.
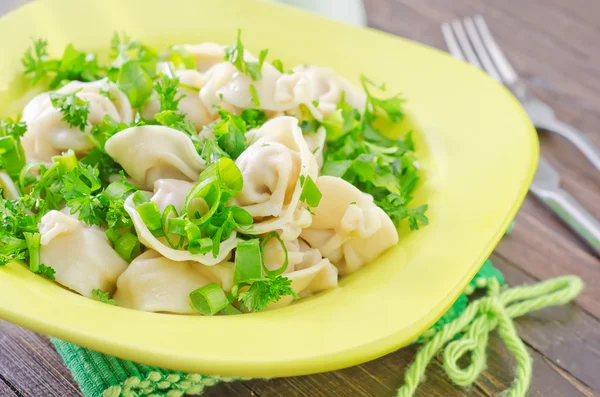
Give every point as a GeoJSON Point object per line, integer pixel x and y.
{"type": "Point", "coordinates": [476, 145]}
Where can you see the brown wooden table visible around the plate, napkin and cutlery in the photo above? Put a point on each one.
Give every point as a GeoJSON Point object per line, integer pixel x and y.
{"type": "Point", "coordinates": [554, 46]}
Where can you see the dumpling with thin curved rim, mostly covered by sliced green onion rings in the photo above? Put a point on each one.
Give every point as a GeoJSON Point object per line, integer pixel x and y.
{"type": "Point", "coordinates": [173, 192]}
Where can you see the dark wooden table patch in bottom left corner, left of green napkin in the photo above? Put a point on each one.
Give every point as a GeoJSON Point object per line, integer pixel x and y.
{"type": "Point", "coordinates": [29, 363]}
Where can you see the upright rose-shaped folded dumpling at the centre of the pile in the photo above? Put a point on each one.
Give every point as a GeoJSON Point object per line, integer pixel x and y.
{"type": "Point", "coordinates": [272, 167]}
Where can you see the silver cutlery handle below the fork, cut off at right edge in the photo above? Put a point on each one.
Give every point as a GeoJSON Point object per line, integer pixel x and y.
{"type": "Point", "coordinates": [573, 214]}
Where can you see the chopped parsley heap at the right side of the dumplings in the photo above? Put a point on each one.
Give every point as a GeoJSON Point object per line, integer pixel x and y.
{"type": "Point", "coordinates": [359, 153]}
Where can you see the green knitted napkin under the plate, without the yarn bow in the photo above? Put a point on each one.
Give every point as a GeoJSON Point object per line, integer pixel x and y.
{"type": "Point", "coordinates": [100, 375]}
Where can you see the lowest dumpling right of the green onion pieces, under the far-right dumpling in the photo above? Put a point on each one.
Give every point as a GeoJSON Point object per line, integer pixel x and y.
{"type": "Point", "coordinates": [307, 269]}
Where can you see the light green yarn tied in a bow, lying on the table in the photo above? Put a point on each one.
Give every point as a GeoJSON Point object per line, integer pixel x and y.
{"type": "Point", "coordinates": [494, 311]}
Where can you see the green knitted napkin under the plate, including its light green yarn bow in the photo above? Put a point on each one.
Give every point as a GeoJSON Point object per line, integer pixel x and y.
{"type": "Point", "coordinates": [463, 330]}
